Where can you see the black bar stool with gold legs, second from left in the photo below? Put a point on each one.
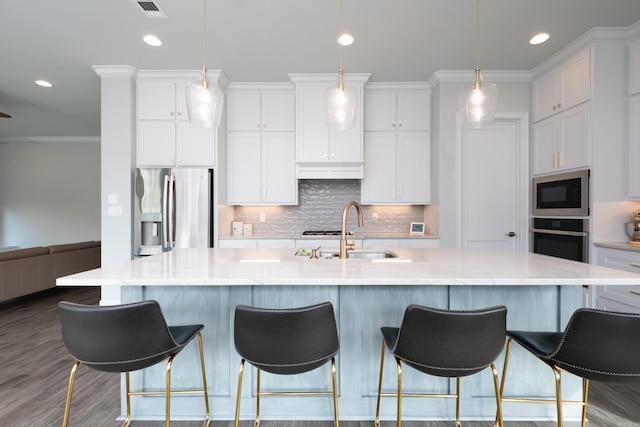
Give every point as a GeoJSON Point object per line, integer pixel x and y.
{"type": "Point", "coordinates": [286, 341]}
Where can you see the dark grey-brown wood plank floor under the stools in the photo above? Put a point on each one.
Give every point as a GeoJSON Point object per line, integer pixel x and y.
{"type": "Point", "coordinates": [35, 368]}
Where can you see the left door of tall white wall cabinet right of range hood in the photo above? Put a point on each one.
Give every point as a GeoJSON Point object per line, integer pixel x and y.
{"type": "Point", "coordinates": [379, 183]}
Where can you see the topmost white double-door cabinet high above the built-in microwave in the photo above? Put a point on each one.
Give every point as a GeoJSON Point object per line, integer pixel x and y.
{"type": "Point", "coordinates": [563, 87]}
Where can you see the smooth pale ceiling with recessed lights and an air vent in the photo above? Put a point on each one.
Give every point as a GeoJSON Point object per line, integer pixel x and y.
{"type": "Point", "coordinates": [264, 40]}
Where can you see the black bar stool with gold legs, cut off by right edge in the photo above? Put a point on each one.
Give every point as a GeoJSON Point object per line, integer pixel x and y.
{"type": "Point", "coordinates": [596, 345]}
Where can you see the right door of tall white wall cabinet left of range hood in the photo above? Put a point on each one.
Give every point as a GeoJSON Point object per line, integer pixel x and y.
{"type": "Point", "coordinates": [279, 184]}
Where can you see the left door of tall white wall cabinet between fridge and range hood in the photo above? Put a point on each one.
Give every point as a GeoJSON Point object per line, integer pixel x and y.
{"type": "Point", "coordinates": [244, 167]}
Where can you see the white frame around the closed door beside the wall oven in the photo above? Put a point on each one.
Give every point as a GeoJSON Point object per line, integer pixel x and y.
{"type": "Point", "coordinates": [523, 189]}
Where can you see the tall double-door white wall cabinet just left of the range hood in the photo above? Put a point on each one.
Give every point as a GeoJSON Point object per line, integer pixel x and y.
{"type": "Point", "coordinates": [261, 167]}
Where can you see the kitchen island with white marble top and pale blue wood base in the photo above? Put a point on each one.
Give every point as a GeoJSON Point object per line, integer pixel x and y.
{"type": "Point", "coordinates": [205, 285]}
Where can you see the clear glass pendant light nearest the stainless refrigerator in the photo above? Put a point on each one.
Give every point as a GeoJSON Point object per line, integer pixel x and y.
{"type": "Point", "coordinates": [204, 99]}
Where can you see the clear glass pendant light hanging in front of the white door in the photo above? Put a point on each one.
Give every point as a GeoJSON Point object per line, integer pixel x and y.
{"type": "Point", "coordinates": [478, 102]}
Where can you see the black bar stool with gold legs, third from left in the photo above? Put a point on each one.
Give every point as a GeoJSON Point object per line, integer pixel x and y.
{"type": "Point", "coordinates": [444, 343]}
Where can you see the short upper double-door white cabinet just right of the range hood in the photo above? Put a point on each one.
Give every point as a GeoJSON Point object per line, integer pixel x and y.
{"type": "Point", "coordinates": [390, 107]}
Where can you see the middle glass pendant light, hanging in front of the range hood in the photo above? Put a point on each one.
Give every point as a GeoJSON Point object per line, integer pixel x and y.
{"type": "Point", "coordinates": [341, 99]}
